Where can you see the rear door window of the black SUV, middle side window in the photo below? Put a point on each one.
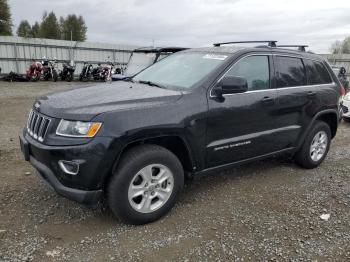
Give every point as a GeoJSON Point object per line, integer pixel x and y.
{"type": "Point", "coordinates": [290, 71]}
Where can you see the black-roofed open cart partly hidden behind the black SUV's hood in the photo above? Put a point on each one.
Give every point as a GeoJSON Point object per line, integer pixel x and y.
{"type": "Point", "coordinates": [143, 57]}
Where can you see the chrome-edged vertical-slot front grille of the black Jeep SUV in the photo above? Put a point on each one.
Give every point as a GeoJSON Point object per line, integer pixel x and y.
{"type": "Point", "coordinates": [37, 125]}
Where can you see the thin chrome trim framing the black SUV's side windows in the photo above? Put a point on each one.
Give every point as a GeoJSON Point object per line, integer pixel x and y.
{"type": "Point", "coordinates": [270, 89]}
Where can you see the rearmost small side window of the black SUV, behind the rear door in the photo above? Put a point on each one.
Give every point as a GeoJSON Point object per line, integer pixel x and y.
{"type": "Point", "coordinates": [316, 73]}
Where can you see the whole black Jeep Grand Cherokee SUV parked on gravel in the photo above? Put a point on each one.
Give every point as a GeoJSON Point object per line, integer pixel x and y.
{"type": "Point", "coordinates": [133, 142]}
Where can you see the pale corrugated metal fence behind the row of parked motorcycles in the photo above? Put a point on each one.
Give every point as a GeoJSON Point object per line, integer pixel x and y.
{"type": "Point", "coordinates": [16, 53]}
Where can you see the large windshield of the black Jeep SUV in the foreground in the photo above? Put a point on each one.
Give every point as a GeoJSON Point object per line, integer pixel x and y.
{"type": "Point", "coordinates": [182, 70]}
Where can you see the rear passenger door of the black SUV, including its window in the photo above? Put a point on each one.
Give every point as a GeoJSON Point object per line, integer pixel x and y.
{"type": "Point", "coordinates": [296, 99]}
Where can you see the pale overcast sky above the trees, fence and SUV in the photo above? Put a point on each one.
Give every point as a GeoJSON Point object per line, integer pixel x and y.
{"type": "Point", "coordinates": [196, 23]}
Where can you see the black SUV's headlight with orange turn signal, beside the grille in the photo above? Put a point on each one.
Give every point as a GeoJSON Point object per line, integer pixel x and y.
{"type": "Point", "coordinates": [77, 128]}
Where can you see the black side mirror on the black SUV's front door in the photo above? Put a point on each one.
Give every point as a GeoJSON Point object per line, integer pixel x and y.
{"type": "Point", "coordinates": [231, 85]}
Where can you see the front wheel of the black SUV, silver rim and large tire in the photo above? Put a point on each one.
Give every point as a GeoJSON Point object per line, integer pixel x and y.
{"type": "Point", "coordinates": [130, 174]}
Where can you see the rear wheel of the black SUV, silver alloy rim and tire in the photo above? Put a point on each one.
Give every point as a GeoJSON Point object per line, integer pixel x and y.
{"type": "Point", "coordinates": [309, 160]}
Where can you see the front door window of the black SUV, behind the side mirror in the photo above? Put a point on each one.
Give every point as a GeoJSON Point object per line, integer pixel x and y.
{"type": "Point", "coordinates": [255, 69]}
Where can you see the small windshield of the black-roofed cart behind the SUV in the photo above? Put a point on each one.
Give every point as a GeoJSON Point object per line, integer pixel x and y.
{"type": "Point", "coordinates": [138, 62]}
